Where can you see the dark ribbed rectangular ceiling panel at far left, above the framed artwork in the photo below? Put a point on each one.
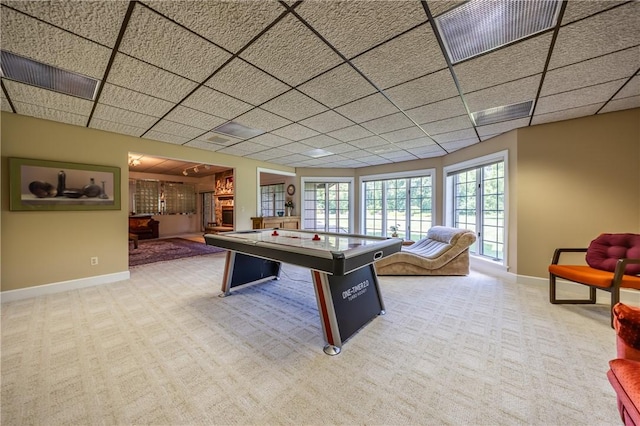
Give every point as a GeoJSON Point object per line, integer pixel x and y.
{"type": "Point", "coordinates": [35, 73]}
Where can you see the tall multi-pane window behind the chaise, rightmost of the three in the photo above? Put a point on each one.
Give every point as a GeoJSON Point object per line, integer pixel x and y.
{"type": "Point", "coordinates": [475, 193]}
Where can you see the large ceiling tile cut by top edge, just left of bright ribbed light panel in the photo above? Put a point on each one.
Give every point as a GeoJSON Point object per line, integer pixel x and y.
{"type": "Point", "coordinates": [353, 27]}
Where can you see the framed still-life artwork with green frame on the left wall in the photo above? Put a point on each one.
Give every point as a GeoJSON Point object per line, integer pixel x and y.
{"type": "Point", "coordinates": [56, 185]}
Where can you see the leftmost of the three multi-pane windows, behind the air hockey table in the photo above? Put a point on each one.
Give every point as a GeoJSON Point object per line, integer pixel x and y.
{"type": "Point", "coordinates": [325, 205]}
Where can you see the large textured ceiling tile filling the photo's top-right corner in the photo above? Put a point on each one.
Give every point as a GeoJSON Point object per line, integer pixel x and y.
{"type": "Point", "coordinates": [606, 32]}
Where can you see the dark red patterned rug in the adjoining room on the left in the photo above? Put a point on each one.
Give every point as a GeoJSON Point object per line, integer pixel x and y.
{"type": "Point", "coordinates": [151, 251]}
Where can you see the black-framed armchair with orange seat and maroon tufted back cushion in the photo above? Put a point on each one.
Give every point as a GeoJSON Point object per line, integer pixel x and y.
{"type": "Point", "coordinates": [613, 262]}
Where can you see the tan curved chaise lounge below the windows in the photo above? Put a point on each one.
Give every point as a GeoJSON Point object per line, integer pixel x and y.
{"type": "Point", "coordinates": [444, 251]}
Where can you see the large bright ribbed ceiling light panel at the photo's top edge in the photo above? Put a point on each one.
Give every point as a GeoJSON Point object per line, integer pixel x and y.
{"type": "Point", "coordinates": [479, 26]}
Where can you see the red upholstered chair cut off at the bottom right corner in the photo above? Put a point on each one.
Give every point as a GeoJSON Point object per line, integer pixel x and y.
{"type": "Point", "coordinates": [624, 373]}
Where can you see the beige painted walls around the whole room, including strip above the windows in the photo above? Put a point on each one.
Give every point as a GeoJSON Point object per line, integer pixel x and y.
{"type": "Point", "coordinates": [568, 182]}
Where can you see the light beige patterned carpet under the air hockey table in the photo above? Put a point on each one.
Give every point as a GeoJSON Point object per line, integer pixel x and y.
{"type": "Point", "coordinates": [163, 349]}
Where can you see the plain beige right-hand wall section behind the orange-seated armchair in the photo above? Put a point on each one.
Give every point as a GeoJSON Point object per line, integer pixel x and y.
{"type": "Point", "coordinates": [576, 179]}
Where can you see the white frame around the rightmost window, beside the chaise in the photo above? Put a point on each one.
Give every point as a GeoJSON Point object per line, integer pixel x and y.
{"type": "Point", "coordinates": [449, 193]}
